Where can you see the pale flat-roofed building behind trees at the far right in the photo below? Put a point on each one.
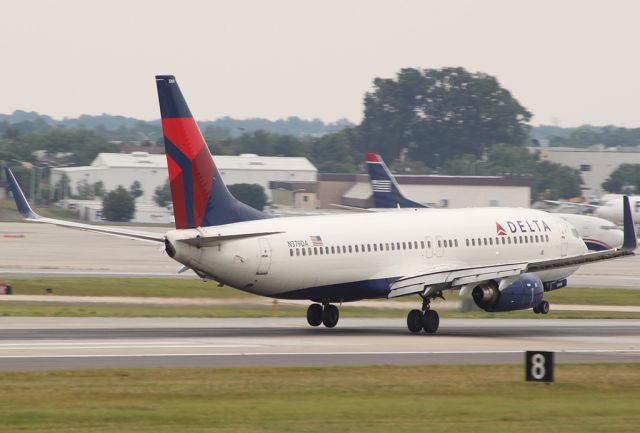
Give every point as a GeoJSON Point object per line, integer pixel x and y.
{"type": "Point", "coordinates": [595, 165]}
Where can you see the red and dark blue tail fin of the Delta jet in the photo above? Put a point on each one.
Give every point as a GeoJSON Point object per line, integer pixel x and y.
{"type": "Point", "coordinates": [200, 197]}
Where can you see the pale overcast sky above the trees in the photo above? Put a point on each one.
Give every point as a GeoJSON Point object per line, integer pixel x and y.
{"type": "Point", "coordinates": [569, 62]}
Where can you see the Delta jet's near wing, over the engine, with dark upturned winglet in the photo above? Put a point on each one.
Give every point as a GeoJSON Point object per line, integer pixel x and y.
{"type": "Point", "coordinates": [456, 276]}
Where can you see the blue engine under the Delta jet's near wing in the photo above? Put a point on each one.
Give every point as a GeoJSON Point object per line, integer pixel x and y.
{"type": "Point", "coordinates": [525, 292]}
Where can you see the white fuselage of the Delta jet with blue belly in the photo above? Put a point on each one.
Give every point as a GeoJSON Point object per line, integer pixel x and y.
{"type": "Point", "coordinates": [364, 251]}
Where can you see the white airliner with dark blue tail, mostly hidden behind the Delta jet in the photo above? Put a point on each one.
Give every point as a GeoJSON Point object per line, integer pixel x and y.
{"type": "Point", "coordinates": [598, 234]}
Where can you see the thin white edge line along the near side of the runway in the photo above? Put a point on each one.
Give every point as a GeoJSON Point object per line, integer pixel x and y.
{"type": "Point", "coordinates": [249, 354]}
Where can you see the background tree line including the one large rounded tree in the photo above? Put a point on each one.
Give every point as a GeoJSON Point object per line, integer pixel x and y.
{"type": "Point", "coordinates": [448, 121]}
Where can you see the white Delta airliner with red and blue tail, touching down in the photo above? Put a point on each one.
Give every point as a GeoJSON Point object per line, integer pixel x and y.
{"type": "Point", "coordinates": [506, 258]}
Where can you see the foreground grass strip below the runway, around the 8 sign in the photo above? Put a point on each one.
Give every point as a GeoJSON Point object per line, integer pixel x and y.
{"type": "Point", "coordinates": [491, 399]}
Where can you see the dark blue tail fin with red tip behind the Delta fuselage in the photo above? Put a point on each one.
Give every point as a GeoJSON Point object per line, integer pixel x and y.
{"type": "Point", "coordinates": [386, 192]}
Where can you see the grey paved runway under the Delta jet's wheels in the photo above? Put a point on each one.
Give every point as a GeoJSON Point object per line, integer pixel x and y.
{"type": "Point", "coordinates": [68, 343]}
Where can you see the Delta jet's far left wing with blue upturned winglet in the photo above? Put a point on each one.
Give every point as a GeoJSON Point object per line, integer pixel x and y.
{"type": "Point", "coordinates": [29, 215]}
